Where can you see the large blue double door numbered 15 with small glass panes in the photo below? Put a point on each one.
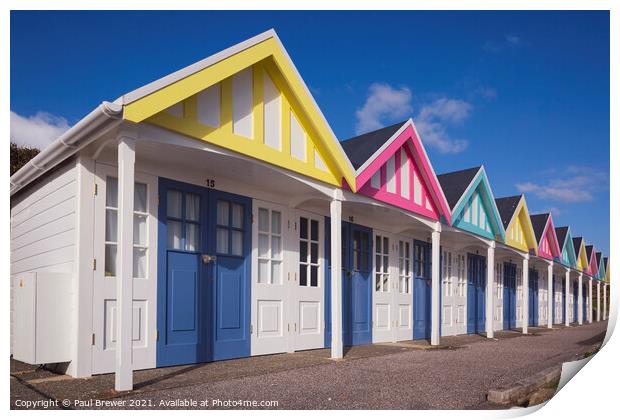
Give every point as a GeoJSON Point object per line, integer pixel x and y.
{"type": "Point", "coordinates": [203, 304]}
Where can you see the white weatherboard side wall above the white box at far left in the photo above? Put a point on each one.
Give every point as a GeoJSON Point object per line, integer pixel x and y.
{"type": "Point", "coordinates": [43, 226]}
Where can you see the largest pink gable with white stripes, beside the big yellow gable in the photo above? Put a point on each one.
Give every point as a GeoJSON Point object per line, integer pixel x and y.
{"type": "Point", "coordinates": [402, 176]}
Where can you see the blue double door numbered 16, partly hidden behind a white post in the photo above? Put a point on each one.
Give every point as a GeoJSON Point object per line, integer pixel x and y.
{"type": "Point", "coordinates": [356, 284]}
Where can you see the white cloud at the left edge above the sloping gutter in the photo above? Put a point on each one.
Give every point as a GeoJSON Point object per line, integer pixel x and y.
{"type": "Point", "coordinates": [37, 130]}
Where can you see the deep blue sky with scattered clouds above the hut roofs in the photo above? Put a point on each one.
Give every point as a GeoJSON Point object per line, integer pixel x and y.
{"type": "Point", "coordinates": [524, 93]}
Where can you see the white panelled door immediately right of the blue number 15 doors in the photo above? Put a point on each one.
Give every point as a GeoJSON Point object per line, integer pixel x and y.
{"type": "Point", "coordinates": [270, 279]}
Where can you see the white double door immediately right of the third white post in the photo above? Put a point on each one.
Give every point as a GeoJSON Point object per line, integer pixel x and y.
{"type": "Point", "coordinates": [453, 293]}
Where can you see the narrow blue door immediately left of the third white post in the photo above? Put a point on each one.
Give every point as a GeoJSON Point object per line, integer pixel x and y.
{"type": "Point", "coordinates": [421, 290]}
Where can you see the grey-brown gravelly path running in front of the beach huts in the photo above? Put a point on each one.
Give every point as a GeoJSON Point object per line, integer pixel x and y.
{"type": "Point", "coordinates": [370, 377]}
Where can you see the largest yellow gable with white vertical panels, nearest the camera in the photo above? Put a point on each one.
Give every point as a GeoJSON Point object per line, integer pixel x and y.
{"type": "Point", "coordinates": [252, 102]}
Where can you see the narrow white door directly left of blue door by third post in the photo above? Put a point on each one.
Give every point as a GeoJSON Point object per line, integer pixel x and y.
{"type": "Point", "coordinates": [403, 305]}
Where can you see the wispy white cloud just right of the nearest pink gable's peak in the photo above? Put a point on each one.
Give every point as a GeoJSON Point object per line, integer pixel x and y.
{"type": "Point", "coordinates": [432, 119]}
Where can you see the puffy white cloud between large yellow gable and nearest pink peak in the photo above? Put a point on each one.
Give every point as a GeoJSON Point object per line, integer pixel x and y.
{"type": "Point", "coordinates": [383, 102]}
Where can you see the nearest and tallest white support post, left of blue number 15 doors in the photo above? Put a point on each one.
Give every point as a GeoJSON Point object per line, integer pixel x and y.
{"type": "Point", "coordinates": [124, 276]}
